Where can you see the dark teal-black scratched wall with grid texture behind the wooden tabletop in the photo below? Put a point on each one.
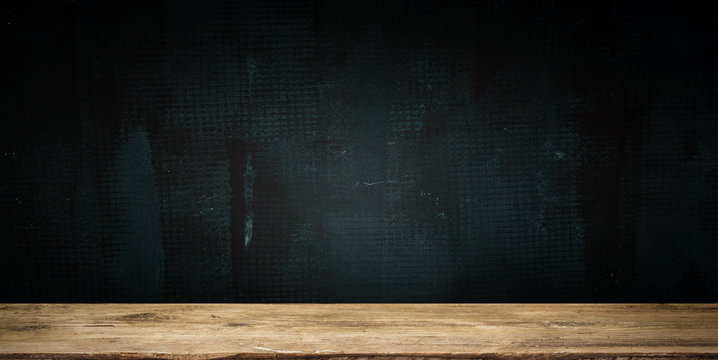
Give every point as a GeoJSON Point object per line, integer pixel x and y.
{"type": "Point", "coordinates": [325, 151]}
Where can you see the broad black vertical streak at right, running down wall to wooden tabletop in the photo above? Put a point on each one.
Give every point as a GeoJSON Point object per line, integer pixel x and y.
{"type": "Point", "coordinates": [608, 118]}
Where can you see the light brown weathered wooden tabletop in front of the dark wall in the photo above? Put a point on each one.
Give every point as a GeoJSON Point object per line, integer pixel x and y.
{"type": "Point", "coordinates": [347, 331]}
